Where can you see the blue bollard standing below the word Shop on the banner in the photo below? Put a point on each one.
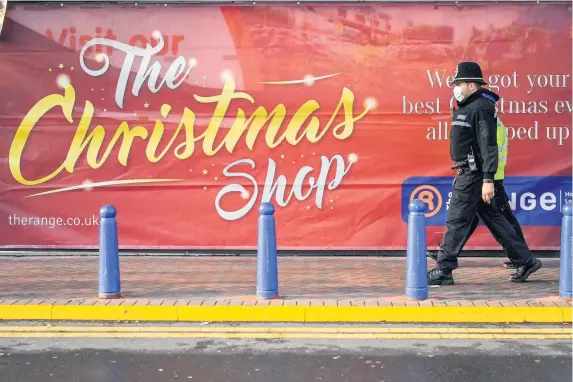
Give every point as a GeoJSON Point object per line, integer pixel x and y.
{"type": "Point", "coordinates": [267, 272]}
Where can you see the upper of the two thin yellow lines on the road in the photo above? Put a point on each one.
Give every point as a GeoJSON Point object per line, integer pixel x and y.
{"type": "Point", "coordinates": [327, 330]}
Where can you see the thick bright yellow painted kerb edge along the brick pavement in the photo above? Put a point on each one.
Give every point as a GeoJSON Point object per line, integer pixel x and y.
{"type": "Point", "coordinates": [308, 314]}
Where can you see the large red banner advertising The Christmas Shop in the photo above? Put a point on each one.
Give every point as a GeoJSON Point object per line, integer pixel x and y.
{"type": "Point", "coordinates": [187, 117]}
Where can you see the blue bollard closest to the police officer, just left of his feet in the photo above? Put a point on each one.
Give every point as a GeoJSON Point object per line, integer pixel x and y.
{"type": "Point", "coordinates": [416, 262]}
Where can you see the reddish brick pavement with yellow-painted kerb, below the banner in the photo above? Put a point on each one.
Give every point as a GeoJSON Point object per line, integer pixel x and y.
{"type": "Point", "coordinates": [312, 289]}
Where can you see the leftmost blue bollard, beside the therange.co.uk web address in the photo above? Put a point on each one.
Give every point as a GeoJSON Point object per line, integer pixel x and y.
{"type": "Point", "coordinates": [109, 283]}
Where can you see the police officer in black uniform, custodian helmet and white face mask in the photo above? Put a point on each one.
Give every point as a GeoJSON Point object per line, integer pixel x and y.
{"type": "Point", "coordinates": [474, 149]}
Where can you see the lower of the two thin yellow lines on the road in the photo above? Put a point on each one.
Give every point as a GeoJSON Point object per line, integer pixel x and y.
{"type": "Point", "coordinates": [286, 335]}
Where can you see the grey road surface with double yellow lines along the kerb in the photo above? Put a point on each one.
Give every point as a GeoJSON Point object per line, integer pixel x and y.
{"type": "Point", "coordinates": [150, 353]}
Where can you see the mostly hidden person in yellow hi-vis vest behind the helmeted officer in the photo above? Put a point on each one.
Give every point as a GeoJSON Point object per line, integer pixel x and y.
{"type": "Point", "coordinates": [500, 199]}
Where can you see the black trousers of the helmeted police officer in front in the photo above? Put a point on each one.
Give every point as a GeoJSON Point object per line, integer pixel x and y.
{"type": "Point", "coordinates": [465, 203]}
